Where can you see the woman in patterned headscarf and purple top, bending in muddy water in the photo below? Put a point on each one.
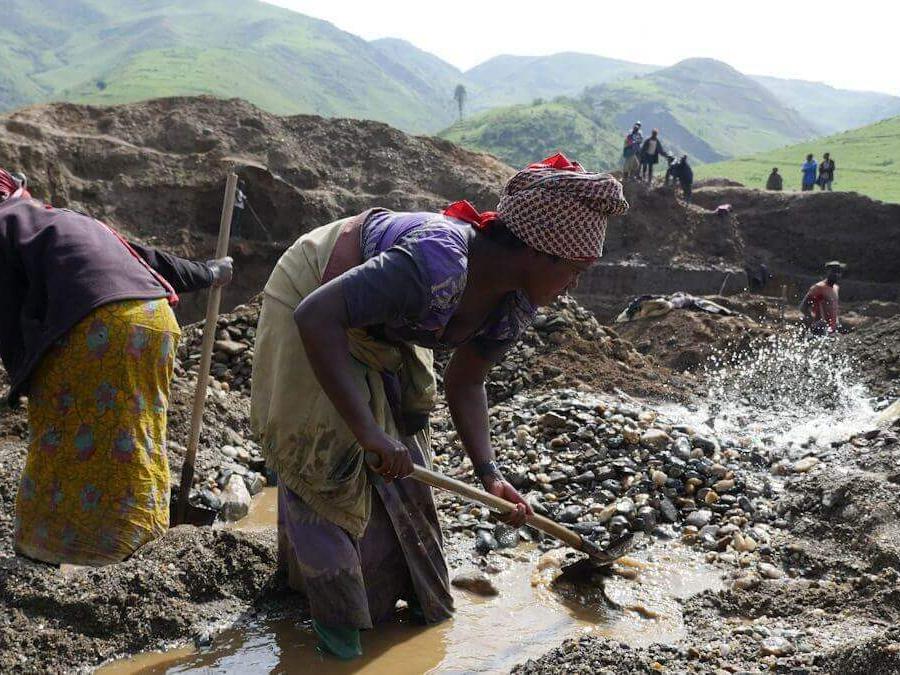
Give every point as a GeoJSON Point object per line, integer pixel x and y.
{"type": "Point", "coordinates": [343, 366]}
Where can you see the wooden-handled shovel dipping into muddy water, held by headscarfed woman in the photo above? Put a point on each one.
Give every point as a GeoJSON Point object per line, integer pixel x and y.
{"type": "Point", "coordinates": [596, 557]}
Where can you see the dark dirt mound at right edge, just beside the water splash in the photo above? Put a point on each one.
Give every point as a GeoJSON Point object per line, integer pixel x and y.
{"type": "Point", "coordinates": [877, 348]}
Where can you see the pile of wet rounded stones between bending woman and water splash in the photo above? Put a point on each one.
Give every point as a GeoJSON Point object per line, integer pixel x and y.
{"type": "Point", "coordinates": [609, 468]}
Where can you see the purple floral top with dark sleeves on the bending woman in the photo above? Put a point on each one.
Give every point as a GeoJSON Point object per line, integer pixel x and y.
{"type": "Point", "coordinates": [412, 281]}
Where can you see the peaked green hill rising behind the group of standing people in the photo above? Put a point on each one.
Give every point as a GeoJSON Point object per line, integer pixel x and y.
{"type": "Point", "coordinates": [703, 108]}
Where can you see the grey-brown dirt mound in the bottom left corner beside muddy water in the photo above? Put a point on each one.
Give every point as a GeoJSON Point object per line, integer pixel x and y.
{"type": "Point", "coordinates": [172, 588]}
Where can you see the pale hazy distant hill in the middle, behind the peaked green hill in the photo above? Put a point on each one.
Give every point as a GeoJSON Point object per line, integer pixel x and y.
{"type": "Point", "coordinates": [507, 80]}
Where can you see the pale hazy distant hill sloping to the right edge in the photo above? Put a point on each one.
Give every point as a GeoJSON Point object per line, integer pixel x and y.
{"type": "Point", "coordinates": [829, 109]}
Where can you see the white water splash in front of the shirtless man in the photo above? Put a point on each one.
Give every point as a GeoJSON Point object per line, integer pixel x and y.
{"type": "Point", "coordinates": [789, 388]}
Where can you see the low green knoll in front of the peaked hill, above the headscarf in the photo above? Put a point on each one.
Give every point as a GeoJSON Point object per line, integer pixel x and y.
{"type": "Point", "coordinates": [523, 134]}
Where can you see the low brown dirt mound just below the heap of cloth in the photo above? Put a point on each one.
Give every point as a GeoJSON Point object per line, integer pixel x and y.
{"type": "Point", "coordinates": [684, 339]}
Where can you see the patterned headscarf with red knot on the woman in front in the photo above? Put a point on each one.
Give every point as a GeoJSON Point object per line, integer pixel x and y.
{"type": "Point", "coordinates": [555, 207]}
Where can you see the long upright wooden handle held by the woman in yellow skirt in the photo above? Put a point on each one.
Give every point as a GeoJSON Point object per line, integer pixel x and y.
{"type": "Point", "coordinates": [209, 337]}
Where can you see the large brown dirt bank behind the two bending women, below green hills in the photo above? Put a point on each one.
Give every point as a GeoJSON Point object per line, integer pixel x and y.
{"type": "Point", "coordinates": [156, 170]}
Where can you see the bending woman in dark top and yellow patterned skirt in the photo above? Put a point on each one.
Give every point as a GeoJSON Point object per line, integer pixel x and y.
{"type": "Point", "coordinates": [87, 332]}
